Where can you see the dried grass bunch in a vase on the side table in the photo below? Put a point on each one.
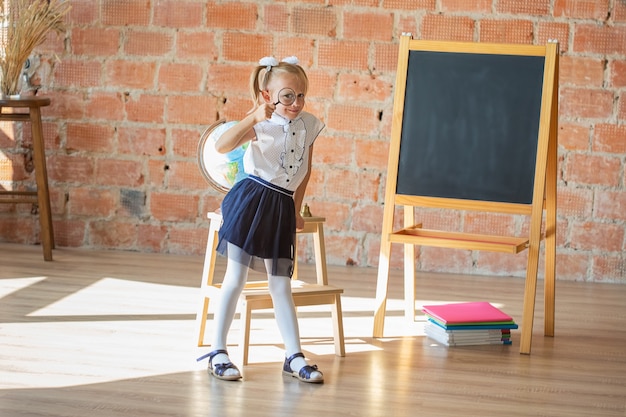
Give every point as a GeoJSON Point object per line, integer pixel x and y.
{"type": "Point", "coordinates": [25, 24]}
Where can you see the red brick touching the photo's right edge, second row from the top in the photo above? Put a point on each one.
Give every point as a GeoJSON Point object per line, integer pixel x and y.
{"type": "Point", "coordinates": [600, 39]}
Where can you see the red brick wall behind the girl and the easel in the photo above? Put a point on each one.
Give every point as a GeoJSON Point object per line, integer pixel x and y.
{"type": "Point", "coordinates": [135, 82]}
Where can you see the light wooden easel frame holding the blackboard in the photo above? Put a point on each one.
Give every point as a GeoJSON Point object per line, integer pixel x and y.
{"type": "Point", "coordinates": [544, 195]}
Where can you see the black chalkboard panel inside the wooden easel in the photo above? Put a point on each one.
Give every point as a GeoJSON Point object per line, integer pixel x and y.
{"type": "Point", "coordinates": [470, 126]}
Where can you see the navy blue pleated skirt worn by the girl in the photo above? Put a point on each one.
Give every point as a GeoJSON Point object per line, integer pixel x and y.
{"type": "Point", "coordinates": [260, 219]}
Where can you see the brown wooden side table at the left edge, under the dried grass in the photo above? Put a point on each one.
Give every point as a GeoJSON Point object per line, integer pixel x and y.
{"type": "Point", "coordinates": [41, 196]}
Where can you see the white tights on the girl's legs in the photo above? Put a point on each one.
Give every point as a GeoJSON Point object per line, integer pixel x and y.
{"type": "Point", "coordinates": [284, 309]}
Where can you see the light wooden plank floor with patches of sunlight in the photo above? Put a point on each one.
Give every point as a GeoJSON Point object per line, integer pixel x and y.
{"type": "Point", "coordinates": [112, 334]}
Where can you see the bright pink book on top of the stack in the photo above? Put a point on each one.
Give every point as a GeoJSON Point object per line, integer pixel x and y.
{"type": "Point", "coordinates": [466, 313]}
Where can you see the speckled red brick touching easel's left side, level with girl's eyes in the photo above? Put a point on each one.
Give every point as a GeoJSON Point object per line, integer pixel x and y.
{"type": "Point", "coordinates": [361, 88]}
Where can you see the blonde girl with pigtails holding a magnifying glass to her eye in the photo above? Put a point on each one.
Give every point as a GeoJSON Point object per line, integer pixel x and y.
{"type": "Point", "coordinates": [261, 213]}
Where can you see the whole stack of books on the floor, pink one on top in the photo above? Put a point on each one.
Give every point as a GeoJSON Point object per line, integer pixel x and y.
{"type": "Point", "coordinates": [465, 324]}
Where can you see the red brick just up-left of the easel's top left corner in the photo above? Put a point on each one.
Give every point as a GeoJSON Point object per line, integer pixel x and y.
{"type": "Point", "coordinates": [368, 25]}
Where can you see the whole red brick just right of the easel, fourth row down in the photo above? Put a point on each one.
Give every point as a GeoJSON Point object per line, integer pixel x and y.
{"type": "Point", "coordinates": [586, 103]}
